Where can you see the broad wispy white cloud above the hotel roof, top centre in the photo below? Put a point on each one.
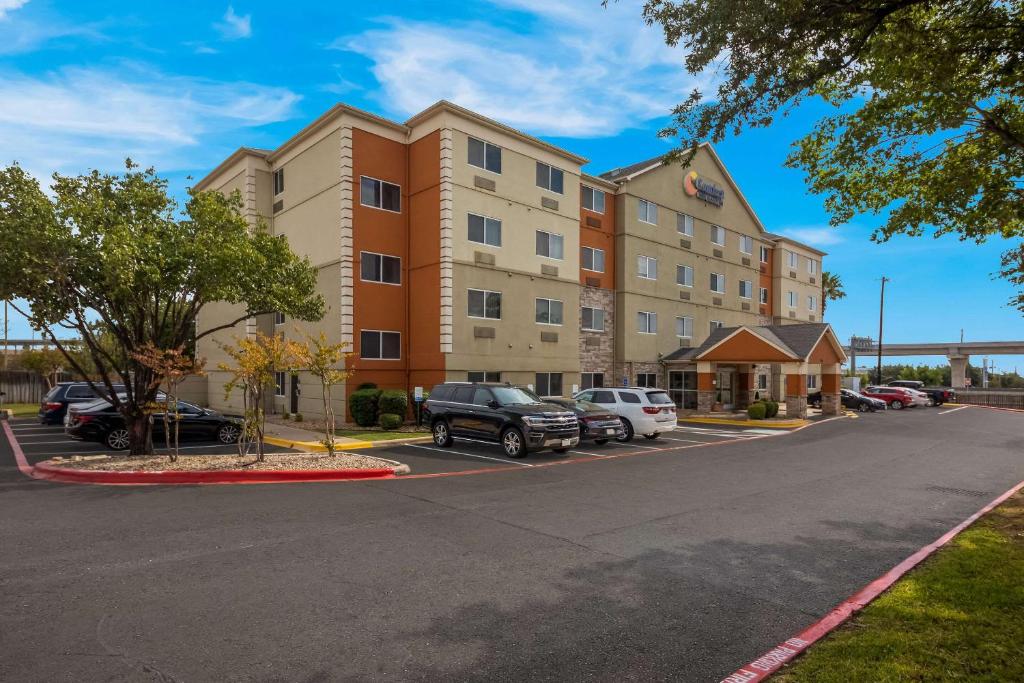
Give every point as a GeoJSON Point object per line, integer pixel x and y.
{"type": "Point", "coordinates": [583, 71]}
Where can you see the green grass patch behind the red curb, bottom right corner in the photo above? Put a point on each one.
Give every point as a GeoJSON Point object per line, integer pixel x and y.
{"type": "Point", "coordinates": [958, 617]}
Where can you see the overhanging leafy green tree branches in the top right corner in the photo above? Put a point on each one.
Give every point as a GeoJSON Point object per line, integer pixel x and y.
{"type": "Point", "coordinates": [926, 129]}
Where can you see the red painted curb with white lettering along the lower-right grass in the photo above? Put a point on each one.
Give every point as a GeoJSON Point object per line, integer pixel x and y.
{"type": "Point", "coordinates": [774, 660]}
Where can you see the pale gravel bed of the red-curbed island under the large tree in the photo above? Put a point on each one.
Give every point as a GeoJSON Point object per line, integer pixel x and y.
{"type": "Point", "coordinates": [274, 461]}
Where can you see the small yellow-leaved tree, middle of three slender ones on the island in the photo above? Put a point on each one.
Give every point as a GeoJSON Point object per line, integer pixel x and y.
{"type": "Point", "coordinates": [255, 362]}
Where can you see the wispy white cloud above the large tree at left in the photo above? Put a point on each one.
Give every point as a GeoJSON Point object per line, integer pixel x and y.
{"type": "Point", "coordinates": [80, 118]}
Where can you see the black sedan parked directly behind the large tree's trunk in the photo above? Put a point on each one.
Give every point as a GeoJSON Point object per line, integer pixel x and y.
{"type": "Point", "coordinates": [100, 421]}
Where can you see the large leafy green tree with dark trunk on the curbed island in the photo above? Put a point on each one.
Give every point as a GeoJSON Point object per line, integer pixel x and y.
{"type": "Point", "coordinates": [112, 259]}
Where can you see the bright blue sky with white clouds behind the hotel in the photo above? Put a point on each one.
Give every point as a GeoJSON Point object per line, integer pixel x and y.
{"type": "Point", "coordinates": [181, 86]}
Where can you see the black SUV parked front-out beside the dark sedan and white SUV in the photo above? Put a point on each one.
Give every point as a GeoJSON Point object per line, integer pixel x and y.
{"type": "Point", "coordinates": [511, 416]}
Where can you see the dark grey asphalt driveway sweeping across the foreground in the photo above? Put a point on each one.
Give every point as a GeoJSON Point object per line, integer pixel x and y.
{"type": "Point", "coordinates": [680, 564]}
